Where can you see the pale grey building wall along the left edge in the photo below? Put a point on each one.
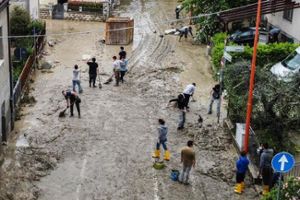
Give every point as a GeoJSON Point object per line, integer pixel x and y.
{"type": "Point", "coordinates": [5, 72]}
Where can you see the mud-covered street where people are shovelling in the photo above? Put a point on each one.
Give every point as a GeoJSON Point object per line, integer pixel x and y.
{"type": "Point", "coordinates": [106, 154]}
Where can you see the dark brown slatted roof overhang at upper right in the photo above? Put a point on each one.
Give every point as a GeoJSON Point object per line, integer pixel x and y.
{"type": "Point", "coordinates": [268, 6]}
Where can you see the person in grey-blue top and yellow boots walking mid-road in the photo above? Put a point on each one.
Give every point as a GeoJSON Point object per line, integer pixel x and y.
{"type": "Point", "coordinates": [162, 140]}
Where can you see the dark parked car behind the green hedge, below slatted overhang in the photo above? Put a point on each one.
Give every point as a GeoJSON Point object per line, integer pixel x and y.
{"type": "Point", "coordinates": [245, 35]}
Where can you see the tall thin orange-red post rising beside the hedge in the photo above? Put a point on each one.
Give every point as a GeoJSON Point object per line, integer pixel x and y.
{"type": "Point", "coordinates": [252, 76]}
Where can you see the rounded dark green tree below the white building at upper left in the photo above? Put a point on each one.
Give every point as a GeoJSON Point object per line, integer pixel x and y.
{"type": "Point", "coordinates": [19, 21]}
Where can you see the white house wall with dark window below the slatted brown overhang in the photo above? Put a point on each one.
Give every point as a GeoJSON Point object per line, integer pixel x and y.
{"type": "Point", "coordinates": [288, 22]}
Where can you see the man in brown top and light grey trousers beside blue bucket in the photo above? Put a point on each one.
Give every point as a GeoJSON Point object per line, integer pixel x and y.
{"type": "Point", "coordinates": [188, 160]}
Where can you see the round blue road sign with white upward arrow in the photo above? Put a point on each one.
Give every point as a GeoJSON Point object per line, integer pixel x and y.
{"type": "Point", "coordinates": [283, 162]}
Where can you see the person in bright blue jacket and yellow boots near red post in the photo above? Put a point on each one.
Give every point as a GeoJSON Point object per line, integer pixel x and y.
{"type": "Point", "coordinates": [241, 169]}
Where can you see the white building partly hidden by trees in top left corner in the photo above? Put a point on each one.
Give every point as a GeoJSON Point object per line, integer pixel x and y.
{"type": "Point", "coordinates": [32, 6]}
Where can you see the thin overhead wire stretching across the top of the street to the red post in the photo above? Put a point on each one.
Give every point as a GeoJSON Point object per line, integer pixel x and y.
{"type": "Point", "coordinates": [127, 28]}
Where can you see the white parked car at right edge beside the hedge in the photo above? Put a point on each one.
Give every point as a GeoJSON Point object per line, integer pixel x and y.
{"type": "Point", "coordinates": [288, 67]}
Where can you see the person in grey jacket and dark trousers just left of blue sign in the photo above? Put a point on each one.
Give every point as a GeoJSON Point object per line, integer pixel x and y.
{"type": "Point", "coordinates": [265, 168]}
